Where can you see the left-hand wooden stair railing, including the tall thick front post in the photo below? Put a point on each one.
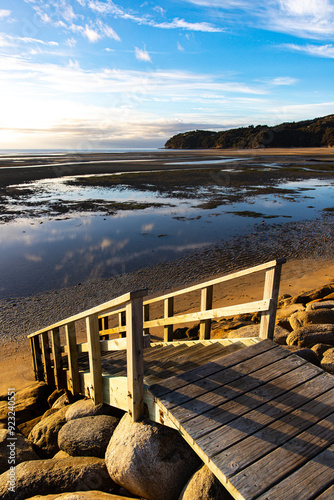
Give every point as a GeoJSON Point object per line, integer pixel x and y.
{"type": "Point", "coordinates": [133, 343]}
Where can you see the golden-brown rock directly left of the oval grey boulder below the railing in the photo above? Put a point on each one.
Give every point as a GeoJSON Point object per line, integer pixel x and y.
{"type": "Point", "coordinates": [45, 434]}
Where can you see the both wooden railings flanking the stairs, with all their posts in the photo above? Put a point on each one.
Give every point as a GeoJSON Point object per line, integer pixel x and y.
{"type": "Point", "coordinates": [134, 321]}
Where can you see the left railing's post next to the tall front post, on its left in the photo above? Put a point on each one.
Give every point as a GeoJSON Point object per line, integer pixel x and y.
{"type": "Point", "coordinates": [94, 353]}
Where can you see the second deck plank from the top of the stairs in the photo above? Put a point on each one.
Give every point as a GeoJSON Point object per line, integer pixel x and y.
{"type": "Point", "coordinates": [214, 382]}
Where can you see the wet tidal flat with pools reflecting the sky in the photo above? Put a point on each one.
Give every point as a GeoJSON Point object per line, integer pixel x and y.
{"type": "Point", "coordinates": [70, 219]}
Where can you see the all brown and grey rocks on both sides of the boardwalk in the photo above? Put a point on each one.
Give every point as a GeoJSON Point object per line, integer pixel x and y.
{"type": "Point", "coordinates": [65, 445]}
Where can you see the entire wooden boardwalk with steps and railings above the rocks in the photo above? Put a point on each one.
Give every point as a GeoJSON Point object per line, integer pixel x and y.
{"type": "Point", "coordinates": [260, 417]}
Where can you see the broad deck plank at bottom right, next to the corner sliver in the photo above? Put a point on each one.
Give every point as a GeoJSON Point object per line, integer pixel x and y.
{"type": "Point", "coordinates": [308, 481]}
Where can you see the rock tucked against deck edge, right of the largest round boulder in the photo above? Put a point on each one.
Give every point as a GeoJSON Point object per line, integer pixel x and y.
{"type": "Point", "coordinates": [204, 485]}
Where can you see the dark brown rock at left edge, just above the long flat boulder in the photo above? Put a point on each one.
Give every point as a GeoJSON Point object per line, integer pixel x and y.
{"type": "Point", "coordinates": [20, 450]}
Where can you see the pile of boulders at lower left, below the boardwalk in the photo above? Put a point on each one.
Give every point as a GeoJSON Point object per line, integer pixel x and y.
{"type": "Point", "coordinates": [86, 449]}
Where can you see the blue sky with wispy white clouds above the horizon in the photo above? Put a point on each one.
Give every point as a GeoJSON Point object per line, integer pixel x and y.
{"type": "Point", "coordinates": [90, 74]}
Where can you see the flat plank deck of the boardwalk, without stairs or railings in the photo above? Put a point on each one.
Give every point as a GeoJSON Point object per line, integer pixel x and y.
{"type": "Point", "coordinates": [261, 418]}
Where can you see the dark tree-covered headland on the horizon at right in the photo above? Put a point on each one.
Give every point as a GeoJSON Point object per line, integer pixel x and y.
{"type": "Point", "coordinates": [318, 132]}
